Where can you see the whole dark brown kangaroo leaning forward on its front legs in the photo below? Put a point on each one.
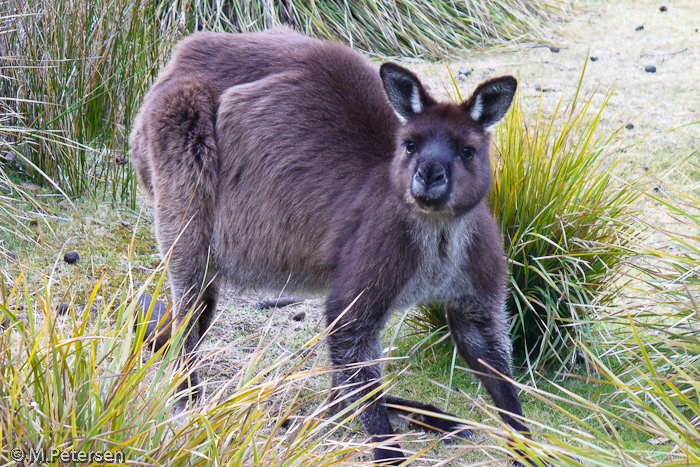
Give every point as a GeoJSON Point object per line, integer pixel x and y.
{"type": "Point", "coordinates": [277, 160]}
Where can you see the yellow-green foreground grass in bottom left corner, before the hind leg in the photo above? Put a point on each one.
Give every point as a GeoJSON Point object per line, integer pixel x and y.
{"type": "Point", "coordinates": [84, 382]}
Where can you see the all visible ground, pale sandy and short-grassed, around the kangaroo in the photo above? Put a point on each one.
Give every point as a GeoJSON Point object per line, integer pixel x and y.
{"type": "Point", "coordinates": [606, 38]}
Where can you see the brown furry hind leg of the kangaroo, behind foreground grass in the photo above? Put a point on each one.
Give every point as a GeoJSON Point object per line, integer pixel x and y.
{"type": "Point", "coordinates": [184, 165]}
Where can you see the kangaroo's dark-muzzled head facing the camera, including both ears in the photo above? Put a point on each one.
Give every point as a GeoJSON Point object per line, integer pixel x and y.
{"type": "Point", "coordinates": [442, 162]}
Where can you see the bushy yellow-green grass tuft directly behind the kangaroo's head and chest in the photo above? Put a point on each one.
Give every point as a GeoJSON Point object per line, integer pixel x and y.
{"type": "Point", "coordinates": [568, 223]}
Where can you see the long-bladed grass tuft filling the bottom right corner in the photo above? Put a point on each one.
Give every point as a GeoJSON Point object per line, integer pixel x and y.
{"type": "Point", "coordinates": [647, 410]}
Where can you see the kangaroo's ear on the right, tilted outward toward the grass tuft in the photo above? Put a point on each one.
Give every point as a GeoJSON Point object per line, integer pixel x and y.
{"type": "Point", "coordinates": [491, 100]}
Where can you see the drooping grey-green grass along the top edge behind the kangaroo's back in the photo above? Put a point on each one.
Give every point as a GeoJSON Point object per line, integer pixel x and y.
{"type": "Point", "coordinates": [415, 28]}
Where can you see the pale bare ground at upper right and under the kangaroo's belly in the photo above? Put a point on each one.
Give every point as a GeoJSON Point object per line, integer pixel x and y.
{"type": "Point", "coordinates": [657, 104]}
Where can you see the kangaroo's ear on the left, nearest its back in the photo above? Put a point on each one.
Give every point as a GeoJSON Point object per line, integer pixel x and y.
{"type": "Point", "coordinates": [404, 91]}
